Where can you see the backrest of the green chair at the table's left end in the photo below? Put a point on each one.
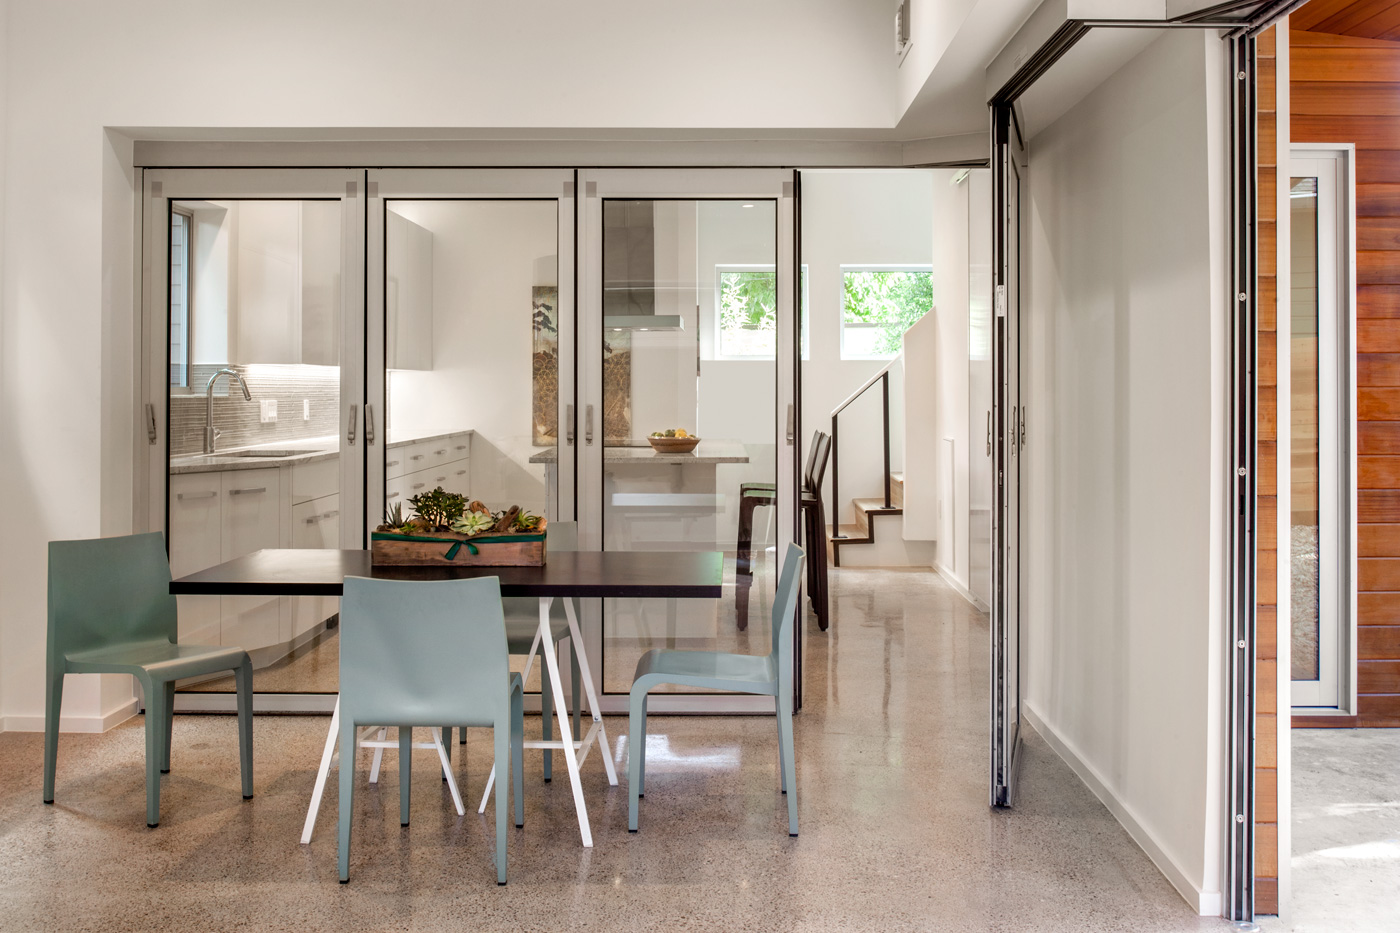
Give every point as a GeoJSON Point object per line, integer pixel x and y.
{"type": "Point", "coordinates": [107, 592]}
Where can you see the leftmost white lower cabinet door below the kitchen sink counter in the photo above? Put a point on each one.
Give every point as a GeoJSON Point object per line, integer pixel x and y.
{"type": "Point", "coordinates": [195, 508]}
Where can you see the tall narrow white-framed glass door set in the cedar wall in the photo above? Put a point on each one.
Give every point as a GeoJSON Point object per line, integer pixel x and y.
{"type": "Point", "coordinates": [1322, 428]}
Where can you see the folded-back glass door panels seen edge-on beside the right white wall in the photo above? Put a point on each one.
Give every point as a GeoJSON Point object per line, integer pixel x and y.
{"type": "Point", "coordinates": [1009, 445]}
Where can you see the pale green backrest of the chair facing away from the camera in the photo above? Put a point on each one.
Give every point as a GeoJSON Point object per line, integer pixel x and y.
{"type": "Point", "coordinates": [423, 654]}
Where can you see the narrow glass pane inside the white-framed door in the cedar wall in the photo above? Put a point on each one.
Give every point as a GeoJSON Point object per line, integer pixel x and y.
{"type": "Point", "coordinates": [1307, 557]}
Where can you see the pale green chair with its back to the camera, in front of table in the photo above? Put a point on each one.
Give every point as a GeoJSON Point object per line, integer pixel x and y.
{"type": "Point", "coordinates": [416, 654]}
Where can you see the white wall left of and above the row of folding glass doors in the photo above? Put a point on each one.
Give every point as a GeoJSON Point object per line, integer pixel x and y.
{"type": "Point", "coordinates": [66, 307]}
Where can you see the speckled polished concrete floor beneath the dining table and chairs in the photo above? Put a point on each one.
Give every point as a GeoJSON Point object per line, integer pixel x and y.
{"type": "Point", "coordinates": [897, 833]}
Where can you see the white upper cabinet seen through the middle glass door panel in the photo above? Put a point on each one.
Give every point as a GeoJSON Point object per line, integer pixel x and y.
{"type": "Point", "coordinates": [408, 302]}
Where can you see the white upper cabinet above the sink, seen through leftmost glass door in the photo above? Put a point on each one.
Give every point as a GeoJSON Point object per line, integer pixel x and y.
{"type": "Point", "coordinates": [286, 285]}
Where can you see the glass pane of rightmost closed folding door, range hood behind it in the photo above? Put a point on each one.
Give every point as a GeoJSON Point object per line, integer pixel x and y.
{"type": "Point", "coordinates": [666, 298]}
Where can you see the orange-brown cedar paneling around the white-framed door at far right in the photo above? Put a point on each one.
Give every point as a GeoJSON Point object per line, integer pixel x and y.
{"type": "Point", "coordinates": [1347, 90]}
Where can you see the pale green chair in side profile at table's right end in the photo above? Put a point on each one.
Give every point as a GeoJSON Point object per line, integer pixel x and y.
{"type": "Point", "coordinates": [765, 676]}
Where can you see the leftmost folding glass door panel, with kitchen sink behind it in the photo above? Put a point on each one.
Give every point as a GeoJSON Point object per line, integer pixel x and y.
{"type": "Point", "coordinates": [253, 306]}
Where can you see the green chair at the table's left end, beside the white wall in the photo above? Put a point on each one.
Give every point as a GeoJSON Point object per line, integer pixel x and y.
{"type": "Point", "coordinates": [111, 611]}
